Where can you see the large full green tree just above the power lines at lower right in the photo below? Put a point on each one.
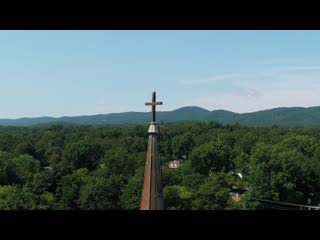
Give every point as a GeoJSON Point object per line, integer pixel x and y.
{"type": "Point", "coordinates": [275, 173]}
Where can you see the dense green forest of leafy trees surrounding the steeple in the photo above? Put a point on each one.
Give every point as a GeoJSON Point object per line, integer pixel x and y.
{"type": "Point", "coordinates": [102, 167]}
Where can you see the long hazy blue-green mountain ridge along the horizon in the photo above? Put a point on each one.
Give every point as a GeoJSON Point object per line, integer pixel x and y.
{"type": "Point", "coordinates": [294, 116]}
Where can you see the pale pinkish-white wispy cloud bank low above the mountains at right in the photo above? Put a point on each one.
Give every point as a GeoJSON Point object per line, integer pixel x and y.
{"type": "Point", "coordinates": [275, 87]}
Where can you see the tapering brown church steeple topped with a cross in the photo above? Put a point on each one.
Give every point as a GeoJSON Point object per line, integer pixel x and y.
{"type": "Point", "coordinates": [152, 198]}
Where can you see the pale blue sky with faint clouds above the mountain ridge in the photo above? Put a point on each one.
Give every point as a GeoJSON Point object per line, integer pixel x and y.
{"type": "Point", "coordinates": [69, 73]}
